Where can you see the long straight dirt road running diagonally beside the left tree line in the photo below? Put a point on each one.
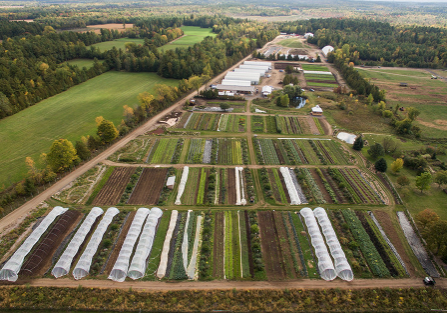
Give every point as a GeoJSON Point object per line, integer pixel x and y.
{"type": "Point", "coordinates": [23, 211]}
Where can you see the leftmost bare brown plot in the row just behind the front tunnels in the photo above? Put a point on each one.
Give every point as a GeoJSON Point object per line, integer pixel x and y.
{"type": "Point", "coordinates": [114, 188]}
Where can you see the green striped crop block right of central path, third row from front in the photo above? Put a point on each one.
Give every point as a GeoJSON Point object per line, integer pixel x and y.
{"type": "Point", "coordinates": [299, 151]}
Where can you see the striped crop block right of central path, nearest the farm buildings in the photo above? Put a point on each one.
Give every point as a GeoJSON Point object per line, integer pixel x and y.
{"type": "Point", "coordinates": [288, 125]}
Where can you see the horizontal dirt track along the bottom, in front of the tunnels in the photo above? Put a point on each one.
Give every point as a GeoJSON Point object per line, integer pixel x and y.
{"type": "Point", "coordinates": [228, 285]}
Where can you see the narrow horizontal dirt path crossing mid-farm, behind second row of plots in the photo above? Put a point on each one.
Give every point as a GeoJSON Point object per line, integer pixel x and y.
{"type": "Point", "coordinates": [253, 166]}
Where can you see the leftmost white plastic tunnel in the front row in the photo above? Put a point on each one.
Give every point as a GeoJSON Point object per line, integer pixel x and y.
{"type": "Point", "coordinates": [14, 264]}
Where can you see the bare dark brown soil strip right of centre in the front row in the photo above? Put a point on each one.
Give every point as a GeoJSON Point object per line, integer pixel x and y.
{"type": "Point", "coordinates": [271, 251]}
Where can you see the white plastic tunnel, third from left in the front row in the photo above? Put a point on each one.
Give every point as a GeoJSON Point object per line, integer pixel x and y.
{"type": "Point", "coordinates": [85, 261]}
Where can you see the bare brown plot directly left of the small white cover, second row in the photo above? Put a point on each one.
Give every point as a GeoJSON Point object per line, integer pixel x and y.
{"type": "Point", "coordinates": [149, 186]}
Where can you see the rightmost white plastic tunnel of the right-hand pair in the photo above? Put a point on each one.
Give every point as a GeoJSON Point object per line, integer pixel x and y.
{"type": "Point", "coordinates": [342, 267]}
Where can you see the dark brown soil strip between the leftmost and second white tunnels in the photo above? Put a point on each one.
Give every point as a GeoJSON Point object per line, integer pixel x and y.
{"type": "Point", "coordinates": [40, 258]}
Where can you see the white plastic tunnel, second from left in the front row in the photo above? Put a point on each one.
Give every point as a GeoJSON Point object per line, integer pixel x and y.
{"type": "Point", "coordinates": [62, 266]}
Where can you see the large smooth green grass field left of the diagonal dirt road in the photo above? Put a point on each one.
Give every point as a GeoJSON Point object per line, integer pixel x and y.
{"type": "Point", "coordinates": [69, 115]}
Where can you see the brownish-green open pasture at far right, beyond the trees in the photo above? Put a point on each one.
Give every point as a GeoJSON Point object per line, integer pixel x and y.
{"type": "Point", "coordinates": [426, 94]}
